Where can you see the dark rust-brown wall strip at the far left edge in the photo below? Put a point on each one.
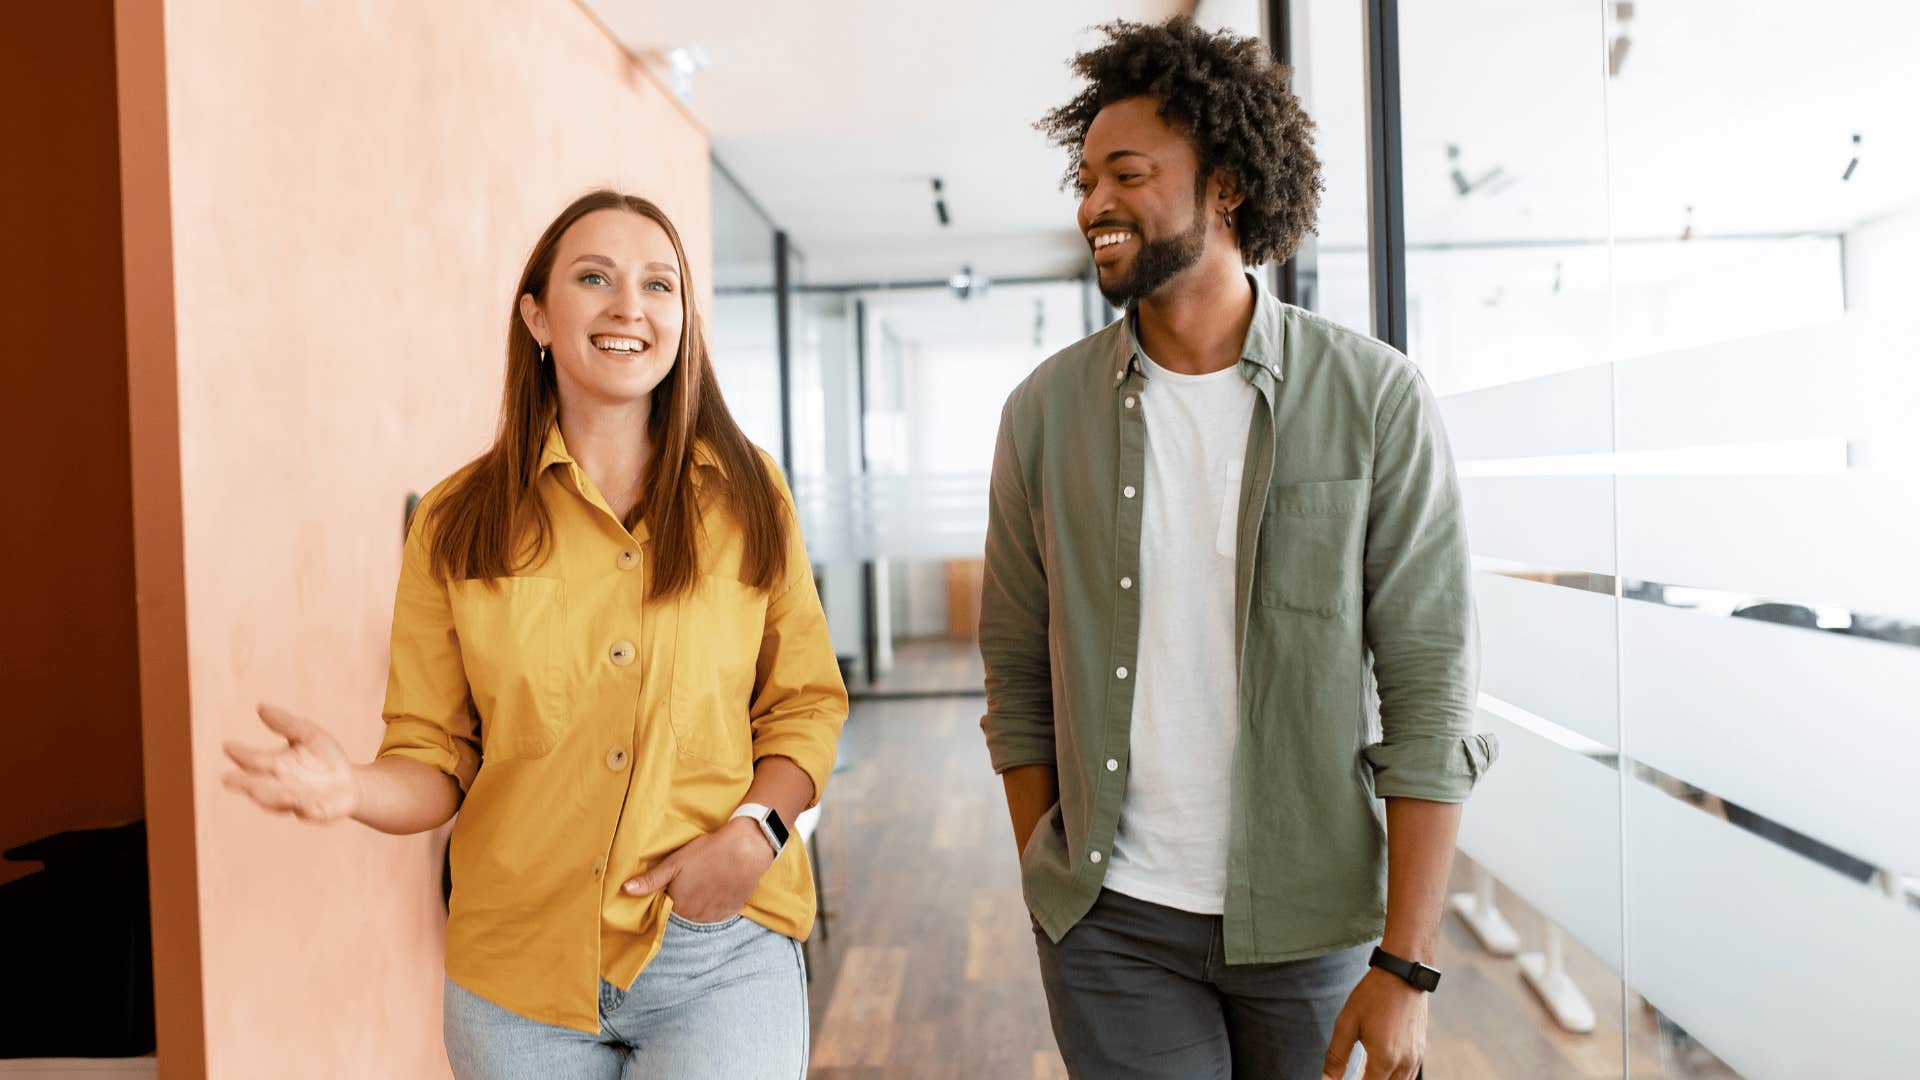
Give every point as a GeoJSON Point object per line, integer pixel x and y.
{"type": "Point", "coordinates": [70, 756]}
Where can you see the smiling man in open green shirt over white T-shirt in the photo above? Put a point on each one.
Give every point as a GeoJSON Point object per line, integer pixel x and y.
{"type": "Point", "coordinates": [1228, 612]}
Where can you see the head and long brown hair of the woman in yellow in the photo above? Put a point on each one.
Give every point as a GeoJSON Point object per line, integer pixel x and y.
{"type": "Point", "coordinates": [615, 335]}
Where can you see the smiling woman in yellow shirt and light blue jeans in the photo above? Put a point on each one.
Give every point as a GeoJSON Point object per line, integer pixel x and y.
{"type": "Point", "coordinates": [612, 660]}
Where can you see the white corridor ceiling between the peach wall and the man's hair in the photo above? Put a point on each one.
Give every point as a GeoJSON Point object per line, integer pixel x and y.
{"type": "Point", "coordinates": [838, 116]}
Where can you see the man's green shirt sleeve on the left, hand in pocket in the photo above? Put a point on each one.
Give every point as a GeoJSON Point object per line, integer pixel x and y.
{"type": "Point", "coordinates": [1013, 622]}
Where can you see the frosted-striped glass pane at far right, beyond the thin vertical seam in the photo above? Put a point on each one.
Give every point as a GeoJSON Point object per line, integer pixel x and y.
{"type": "Point", "coordinates": [1764, 232]}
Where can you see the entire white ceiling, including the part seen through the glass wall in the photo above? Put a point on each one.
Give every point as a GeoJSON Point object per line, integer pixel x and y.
{"type": "Point", "coordinates": [836, 118]}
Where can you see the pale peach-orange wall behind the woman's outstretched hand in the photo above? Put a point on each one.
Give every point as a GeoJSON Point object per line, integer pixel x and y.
{"type": "Point", "coordinates": [354, 189]}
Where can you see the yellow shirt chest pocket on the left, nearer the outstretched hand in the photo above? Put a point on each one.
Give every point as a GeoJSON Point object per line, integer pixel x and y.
{"type": "Point", "coordinates": [512, 645]}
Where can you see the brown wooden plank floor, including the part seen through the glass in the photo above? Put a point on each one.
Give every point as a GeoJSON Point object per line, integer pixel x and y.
{"type": "Point", "coordinates": [930, 970]}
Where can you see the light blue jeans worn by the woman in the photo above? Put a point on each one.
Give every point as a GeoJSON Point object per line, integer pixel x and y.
{"type": "Point", "coordinates": [723, 1000]}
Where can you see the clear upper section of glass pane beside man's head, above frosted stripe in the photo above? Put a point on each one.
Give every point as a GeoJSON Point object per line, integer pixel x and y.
{"type": "Point", "coordinates": [1506, 191]}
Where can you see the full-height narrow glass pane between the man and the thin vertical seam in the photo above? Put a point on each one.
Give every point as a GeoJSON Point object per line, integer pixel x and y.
{"type": "Point", "coordinates": [1508, 282]}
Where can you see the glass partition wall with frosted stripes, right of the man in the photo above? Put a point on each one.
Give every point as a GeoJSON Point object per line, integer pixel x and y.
{"type": "Point", "coordinates": [1660, 266]}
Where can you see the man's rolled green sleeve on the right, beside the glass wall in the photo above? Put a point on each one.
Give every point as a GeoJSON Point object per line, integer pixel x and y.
{"type": "Point", "coordinates": [1420, 618]}
